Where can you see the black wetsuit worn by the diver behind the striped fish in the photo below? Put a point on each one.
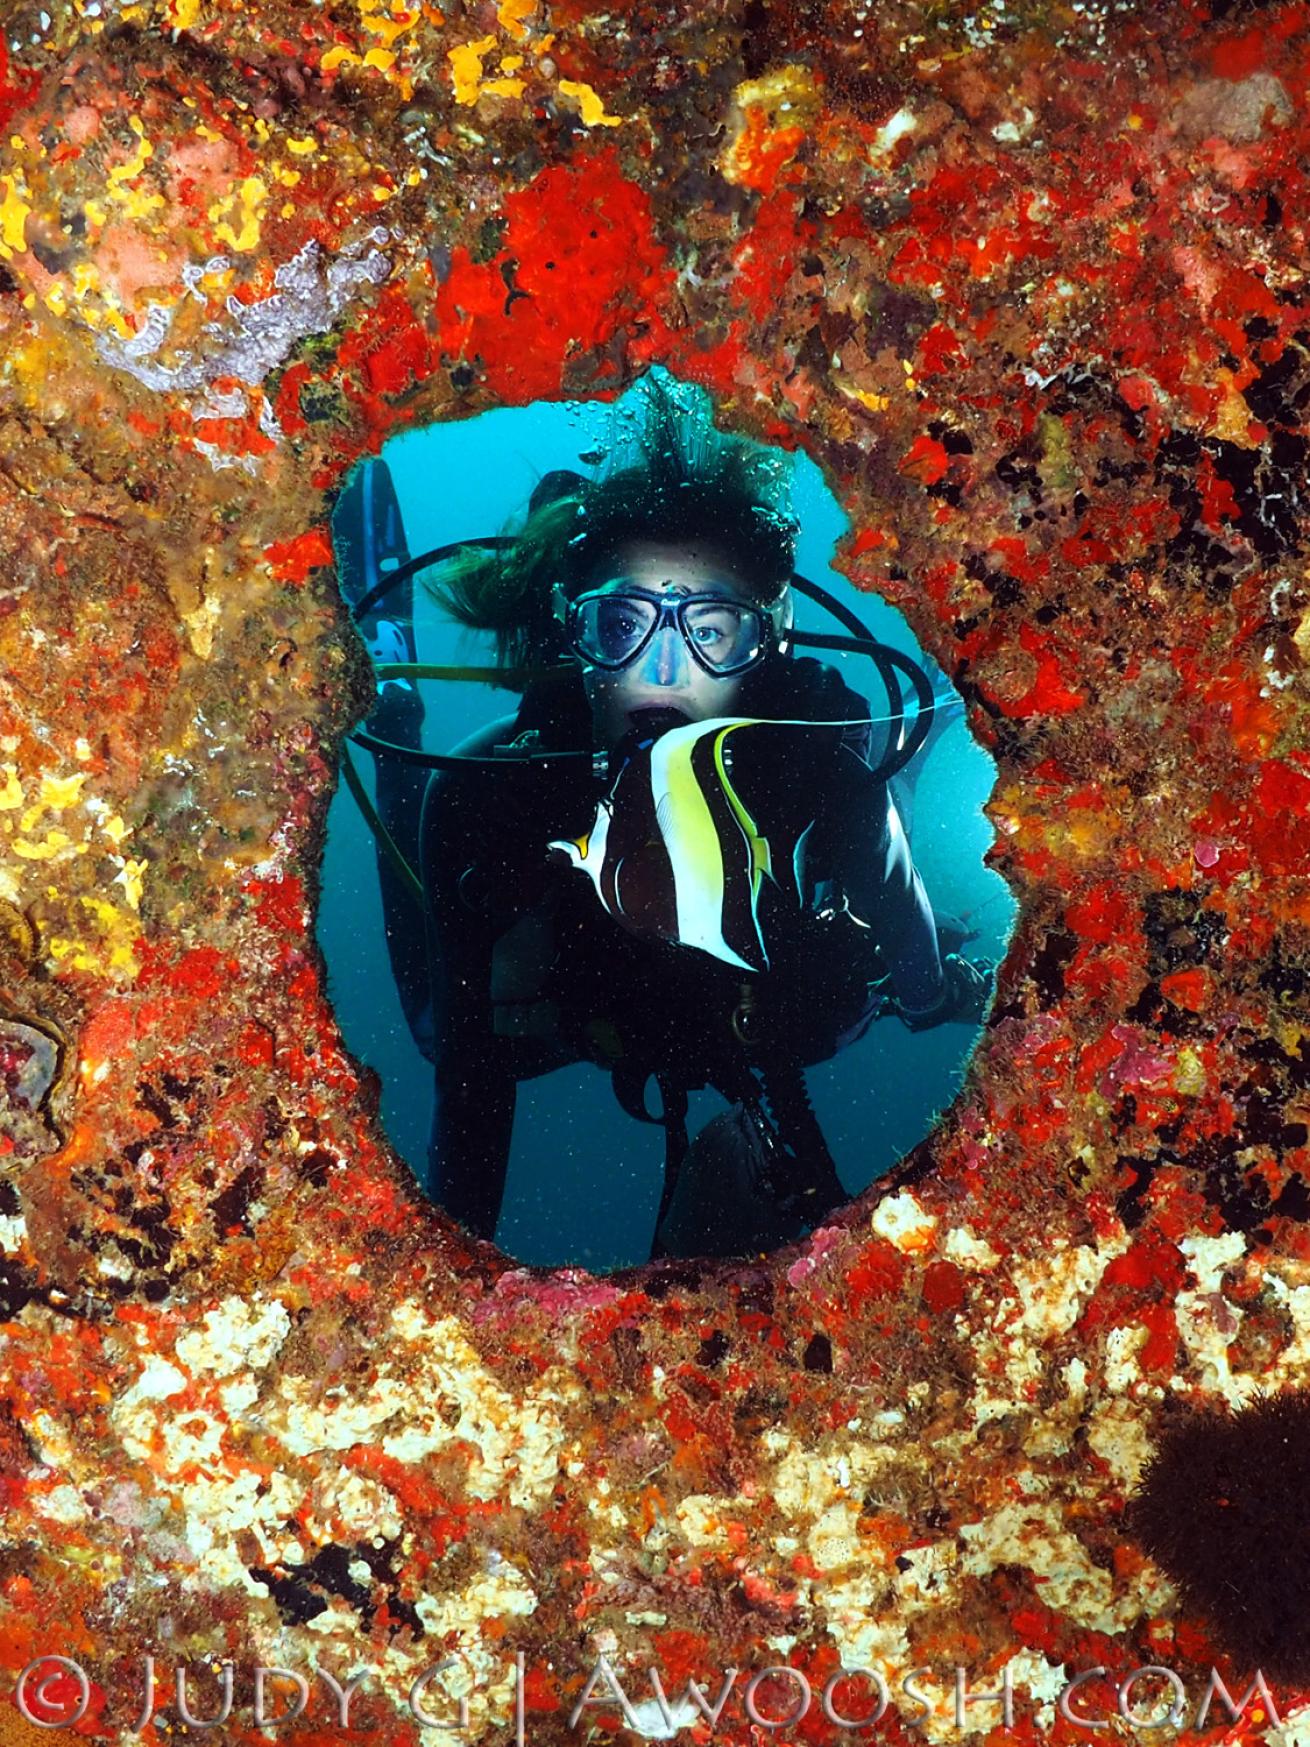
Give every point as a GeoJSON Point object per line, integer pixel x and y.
{"type": "Point", "coordinates": [528, 972]}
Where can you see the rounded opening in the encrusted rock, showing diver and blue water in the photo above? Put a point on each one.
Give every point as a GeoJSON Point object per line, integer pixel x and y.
{"type": "Point", "coordinates": [680, 956]}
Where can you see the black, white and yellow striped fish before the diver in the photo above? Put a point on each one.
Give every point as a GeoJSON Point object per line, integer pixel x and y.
{"type": "Point", "coordinates": [679, 852]}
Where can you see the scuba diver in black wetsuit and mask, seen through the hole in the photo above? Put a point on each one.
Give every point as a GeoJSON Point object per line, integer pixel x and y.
{"type": "Point", "coordinates": [680, 857]}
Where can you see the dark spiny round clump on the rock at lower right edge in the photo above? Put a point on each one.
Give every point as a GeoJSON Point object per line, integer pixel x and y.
{"type": "Point", "coordinates": [1225, 1510]}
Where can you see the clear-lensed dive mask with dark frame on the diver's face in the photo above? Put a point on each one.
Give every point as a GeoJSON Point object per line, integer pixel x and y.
{"type": "Point", "coordinates": [610, 628]}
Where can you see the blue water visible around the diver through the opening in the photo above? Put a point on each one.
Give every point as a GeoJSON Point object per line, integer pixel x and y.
{"type": "Point", "coordinates": [584, 1178]}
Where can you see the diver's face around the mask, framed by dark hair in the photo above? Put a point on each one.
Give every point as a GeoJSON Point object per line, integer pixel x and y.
{"type": "Point", "coordinates": [665, 675]}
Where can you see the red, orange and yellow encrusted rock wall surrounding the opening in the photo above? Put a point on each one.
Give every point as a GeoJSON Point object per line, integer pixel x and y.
{"type": "Point", "coordinates": [1030, 284]}
